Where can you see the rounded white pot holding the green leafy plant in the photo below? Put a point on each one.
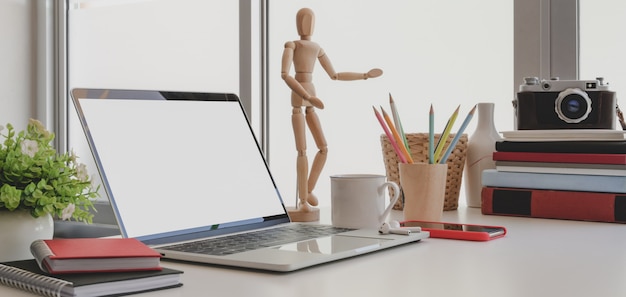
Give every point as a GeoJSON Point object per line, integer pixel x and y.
{"type": "Point", "coordinates": [18, 229]}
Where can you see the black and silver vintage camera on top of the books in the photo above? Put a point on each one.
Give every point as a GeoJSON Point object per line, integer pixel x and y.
{"type": "Point", "coordinates": [564, 104]}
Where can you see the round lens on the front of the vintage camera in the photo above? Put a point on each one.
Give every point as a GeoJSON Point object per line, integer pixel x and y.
{"type": "Point", "coordinates": [572, 106]}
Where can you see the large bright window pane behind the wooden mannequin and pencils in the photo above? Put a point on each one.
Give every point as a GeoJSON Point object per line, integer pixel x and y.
{"type": "Point", "coordinates": [445, 53]}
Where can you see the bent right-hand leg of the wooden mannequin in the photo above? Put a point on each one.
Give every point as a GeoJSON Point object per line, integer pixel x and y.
{"type": "Point", "coordinates": [320, 157]}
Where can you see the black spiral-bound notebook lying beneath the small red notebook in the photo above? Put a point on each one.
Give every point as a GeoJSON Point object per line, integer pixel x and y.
{"type": "Point", "coordinates": [27, 276]}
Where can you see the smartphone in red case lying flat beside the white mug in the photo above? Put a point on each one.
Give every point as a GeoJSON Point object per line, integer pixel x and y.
{"type": "Point", "coordinates": [458, 230]}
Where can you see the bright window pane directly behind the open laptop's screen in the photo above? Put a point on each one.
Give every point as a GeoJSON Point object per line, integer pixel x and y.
{"type": "Point", "coordinates": [185, 45]}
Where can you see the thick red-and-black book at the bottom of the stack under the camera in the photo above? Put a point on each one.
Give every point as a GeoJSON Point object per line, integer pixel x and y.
{"type": "Point", "coordinates": [553, 204]}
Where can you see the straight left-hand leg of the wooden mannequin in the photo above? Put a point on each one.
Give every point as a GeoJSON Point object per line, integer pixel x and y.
{"type": "Point", "coordinates": [302, 165]}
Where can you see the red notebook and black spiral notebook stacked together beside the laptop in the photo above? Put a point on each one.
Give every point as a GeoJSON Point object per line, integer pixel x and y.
{"type": "Point", "coordinates": [89, 267]}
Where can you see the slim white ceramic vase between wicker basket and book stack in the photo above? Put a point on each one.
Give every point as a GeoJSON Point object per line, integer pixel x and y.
{"type": "Point", "coordinates": [480, 147]}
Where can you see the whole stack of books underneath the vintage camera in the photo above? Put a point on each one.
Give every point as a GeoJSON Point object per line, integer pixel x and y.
{"type": "Point", "coordinates": [562, 174]}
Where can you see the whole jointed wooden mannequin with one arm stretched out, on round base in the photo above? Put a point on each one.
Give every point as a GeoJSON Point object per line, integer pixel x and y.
{"type": "Point", "coordinates": [302, 54]}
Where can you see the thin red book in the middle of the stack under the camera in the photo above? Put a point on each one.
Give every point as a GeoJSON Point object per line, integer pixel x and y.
{"type": "Point", "coordinates": [561, 157]}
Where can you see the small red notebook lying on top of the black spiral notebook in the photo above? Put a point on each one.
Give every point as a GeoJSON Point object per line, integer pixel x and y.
{"type": "Point", "coordinates": [76, 255]}
